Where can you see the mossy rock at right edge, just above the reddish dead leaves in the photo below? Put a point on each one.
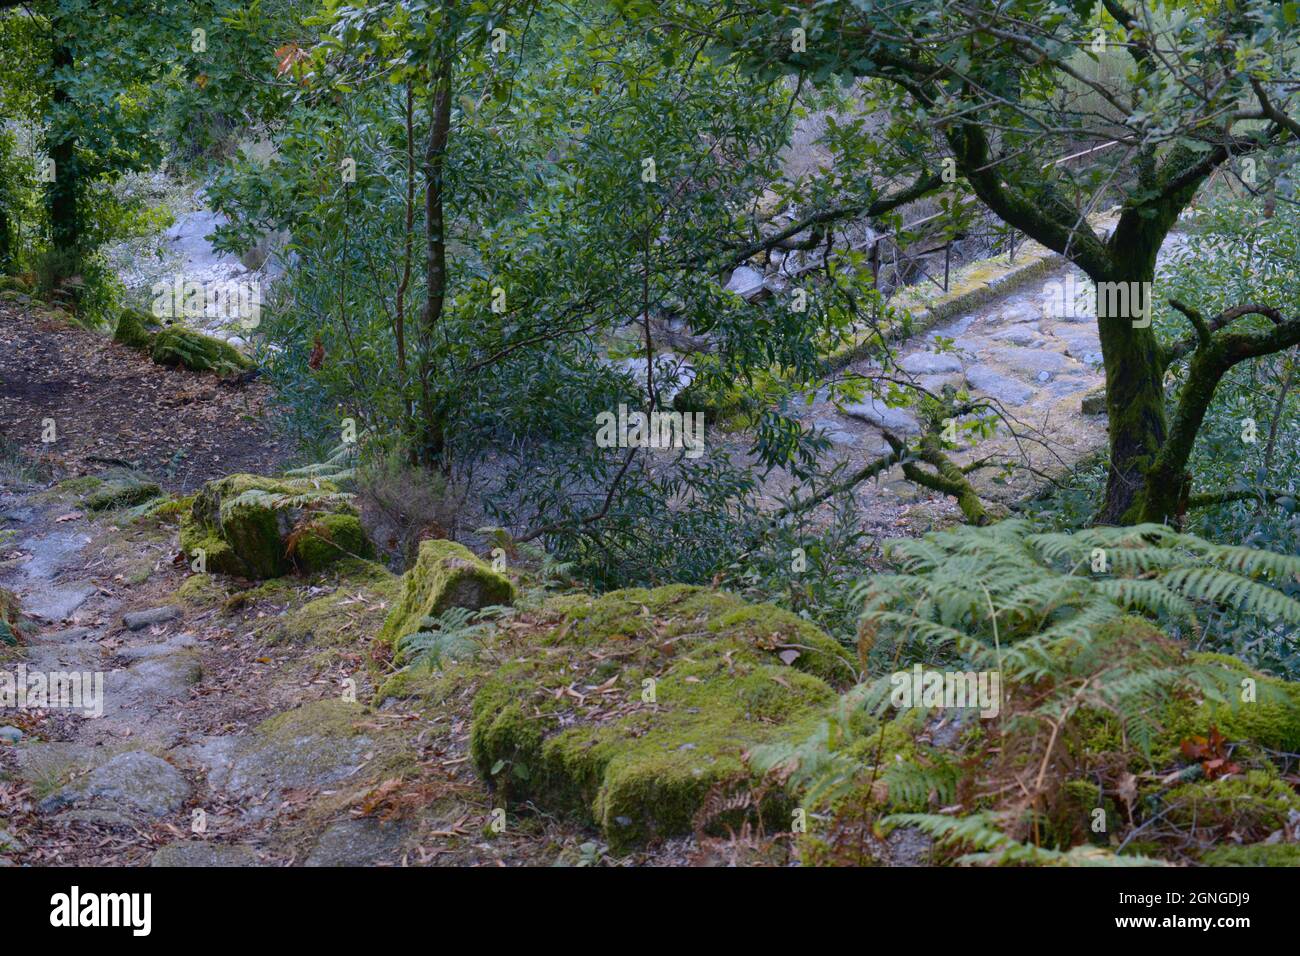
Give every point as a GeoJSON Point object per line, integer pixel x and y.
{"type": "Point", "coordinates": [1272, 720]}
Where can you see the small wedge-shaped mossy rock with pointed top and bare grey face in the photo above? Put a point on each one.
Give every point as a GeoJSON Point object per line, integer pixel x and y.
{"type": "Point", "coordinates": [445, 576]}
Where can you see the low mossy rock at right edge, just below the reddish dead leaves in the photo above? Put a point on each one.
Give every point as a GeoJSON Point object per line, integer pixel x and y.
{"type": "Point", "coordinates": [1253, 806]}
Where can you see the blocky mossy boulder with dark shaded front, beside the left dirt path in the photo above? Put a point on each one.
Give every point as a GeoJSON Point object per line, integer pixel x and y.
{"type": "Point", "coordinates": [250, 525]}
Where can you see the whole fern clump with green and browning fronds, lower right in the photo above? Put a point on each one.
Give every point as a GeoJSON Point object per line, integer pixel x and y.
{"type": "Point", "coordinates": [1087, 689]}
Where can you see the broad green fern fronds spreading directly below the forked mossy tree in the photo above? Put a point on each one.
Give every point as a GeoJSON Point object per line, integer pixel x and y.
{"type": "Point", "coordinates": [1012, 595]}
